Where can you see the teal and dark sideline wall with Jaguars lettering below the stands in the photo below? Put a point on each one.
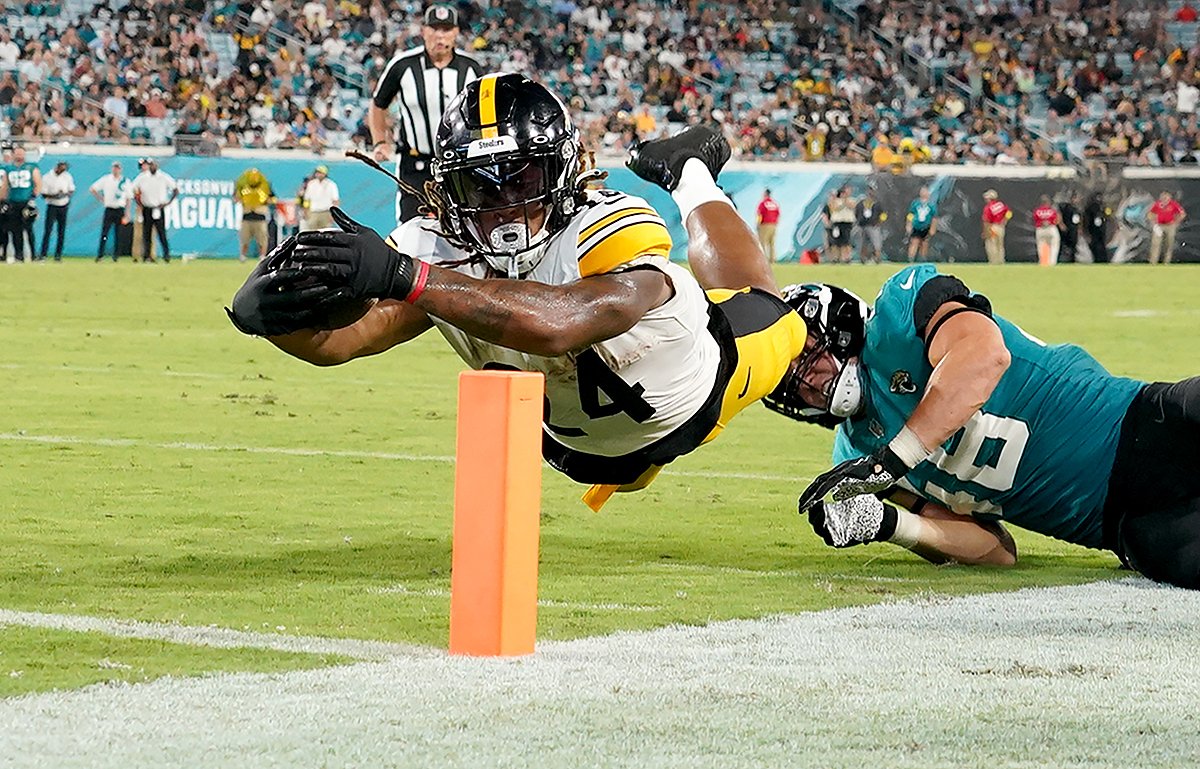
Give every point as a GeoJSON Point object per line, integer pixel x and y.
{"type": "Point", "coordinates": [203, 221]}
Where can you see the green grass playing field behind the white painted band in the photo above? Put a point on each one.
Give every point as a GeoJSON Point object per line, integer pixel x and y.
{"type": "Point", "coordinates": [159, 466]}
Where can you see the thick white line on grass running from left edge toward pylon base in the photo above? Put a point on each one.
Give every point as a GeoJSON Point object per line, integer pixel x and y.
{"type": "Point", "coordinates": [217, 638]}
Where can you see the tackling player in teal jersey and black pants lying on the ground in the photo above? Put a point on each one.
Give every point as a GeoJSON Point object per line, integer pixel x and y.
{"type": "Point", "coordinates": [965, 420]}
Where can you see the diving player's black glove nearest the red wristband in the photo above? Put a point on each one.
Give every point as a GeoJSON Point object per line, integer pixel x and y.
{"type": "Point", "coordinates": [358, 259]}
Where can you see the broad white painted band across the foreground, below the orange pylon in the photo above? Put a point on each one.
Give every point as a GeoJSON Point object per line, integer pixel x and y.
{"type": "Point", "coordinates": [1095, 676]}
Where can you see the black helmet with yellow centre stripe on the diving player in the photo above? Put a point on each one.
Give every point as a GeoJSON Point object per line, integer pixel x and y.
{"type": "Point", "coordinates": [507, 166]}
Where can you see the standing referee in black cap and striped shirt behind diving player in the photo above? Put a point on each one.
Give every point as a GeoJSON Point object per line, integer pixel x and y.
{"type": "Point", "coordinates": [425, 80]}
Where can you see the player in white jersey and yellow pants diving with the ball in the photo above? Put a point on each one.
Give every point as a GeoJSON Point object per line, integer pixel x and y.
{"type": "Point", "coordinates": [525, 268]}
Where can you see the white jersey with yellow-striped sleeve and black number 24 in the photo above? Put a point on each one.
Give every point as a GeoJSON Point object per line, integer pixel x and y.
{"type": "Point", "coordinates": [623, 394]}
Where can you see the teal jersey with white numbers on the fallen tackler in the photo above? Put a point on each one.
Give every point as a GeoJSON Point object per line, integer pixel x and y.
{"type": "Point", "coordinates": [1039, 454]}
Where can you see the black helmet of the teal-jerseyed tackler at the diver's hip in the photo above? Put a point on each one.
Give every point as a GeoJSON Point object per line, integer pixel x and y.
{"type": "Point", "coordinates": [837, 323]}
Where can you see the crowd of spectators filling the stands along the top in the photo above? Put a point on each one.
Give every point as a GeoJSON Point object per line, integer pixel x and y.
{"type": "Point", "coordinates": [896, 82]}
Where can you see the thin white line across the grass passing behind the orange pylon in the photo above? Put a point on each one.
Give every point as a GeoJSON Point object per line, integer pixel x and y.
{"type": "Point", "coordinates": [21, 437]}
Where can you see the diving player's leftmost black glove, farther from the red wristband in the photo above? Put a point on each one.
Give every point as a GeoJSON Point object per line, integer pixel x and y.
{"type": "Point", "coordinates": [280, 299]}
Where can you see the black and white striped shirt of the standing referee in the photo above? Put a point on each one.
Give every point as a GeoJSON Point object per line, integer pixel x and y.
{"type": "Point", "coordinates": [424, 93]}
